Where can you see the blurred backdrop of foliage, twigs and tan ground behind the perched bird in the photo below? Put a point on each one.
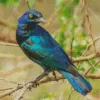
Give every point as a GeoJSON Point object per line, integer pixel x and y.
{"type": "Point", "coordinates": [74, 24]}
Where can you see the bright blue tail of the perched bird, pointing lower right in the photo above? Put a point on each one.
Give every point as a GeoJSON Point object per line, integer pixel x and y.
{"type": "Point", "coordinates": [79, 83]}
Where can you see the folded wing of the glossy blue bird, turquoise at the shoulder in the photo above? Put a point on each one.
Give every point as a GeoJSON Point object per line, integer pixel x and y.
{"type": "Point", "coordinates": [51, 55]}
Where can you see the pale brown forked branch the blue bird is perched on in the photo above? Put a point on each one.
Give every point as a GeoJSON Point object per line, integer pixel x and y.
{"type": "Point", "coordinates": [39, 80]}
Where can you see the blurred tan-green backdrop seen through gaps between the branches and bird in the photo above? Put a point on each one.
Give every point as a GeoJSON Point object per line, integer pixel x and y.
{"type": "Point", "coordinates": [66, 26]}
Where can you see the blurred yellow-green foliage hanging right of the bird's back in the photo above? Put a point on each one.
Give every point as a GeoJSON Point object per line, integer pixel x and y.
{"type": "Point", "coordinates": [69, 30]}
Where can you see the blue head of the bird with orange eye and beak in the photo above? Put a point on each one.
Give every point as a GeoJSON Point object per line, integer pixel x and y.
{"type": "Point", "coordinates": [30, 18]}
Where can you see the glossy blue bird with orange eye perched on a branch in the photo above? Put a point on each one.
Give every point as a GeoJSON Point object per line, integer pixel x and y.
{"type": "Point", "coordinates": [40, 47]}
